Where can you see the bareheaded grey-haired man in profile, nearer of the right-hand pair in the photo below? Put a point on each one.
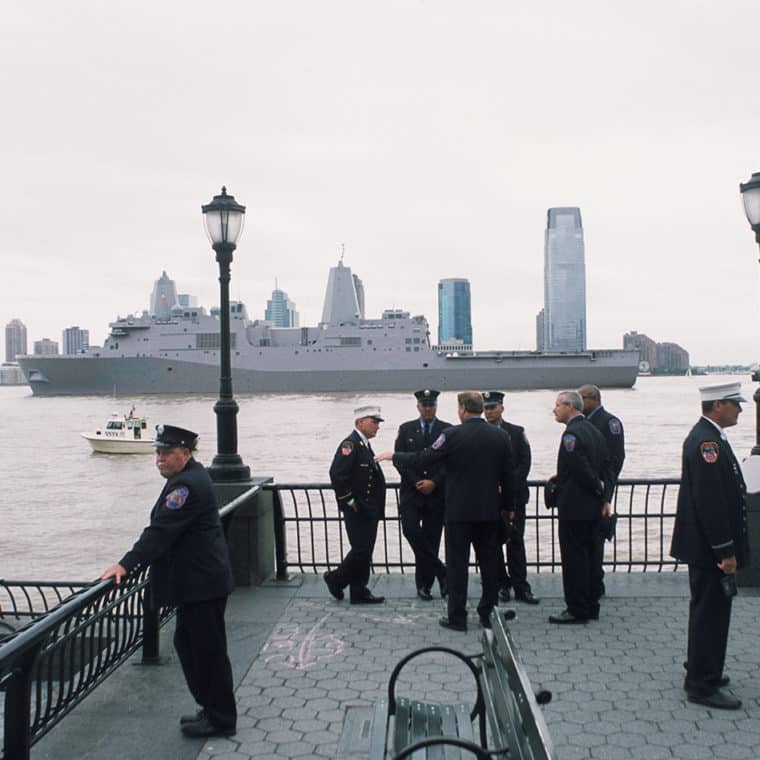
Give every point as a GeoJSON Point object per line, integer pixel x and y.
{"type": "Point", "coordinates": [583, 494]}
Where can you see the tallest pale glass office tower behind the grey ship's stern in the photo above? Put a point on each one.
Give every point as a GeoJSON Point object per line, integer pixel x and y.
{"type": "Point", "coordinates": [564, 282]}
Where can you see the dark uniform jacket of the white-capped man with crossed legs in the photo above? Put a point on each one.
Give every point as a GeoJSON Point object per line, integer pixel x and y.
{"type": "Point", "coordinates": [354, 474]}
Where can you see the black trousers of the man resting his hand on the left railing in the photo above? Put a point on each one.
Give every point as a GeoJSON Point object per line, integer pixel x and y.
{"type": "Point", "coordinates": [200, 639]}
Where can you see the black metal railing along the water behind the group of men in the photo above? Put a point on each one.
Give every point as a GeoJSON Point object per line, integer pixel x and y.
{"type": "Point", "coordinates": [309, 536]}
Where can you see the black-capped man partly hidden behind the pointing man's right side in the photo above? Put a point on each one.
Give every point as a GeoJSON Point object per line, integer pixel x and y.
{"type": "Point", "coordinates": [513, 531]}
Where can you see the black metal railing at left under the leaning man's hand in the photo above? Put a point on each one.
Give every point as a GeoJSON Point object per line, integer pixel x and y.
{"type": "Point", "coordinates": [75, 636]}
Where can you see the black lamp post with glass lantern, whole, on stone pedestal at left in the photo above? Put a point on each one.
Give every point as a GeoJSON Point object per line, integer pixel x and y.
{"type": "Point", "coordinates": [224, 223]}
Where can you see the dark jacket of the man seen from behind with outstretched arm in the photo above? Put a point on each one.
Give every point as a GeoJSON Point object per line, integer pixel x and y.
{"type": "Point", "coordinates": [480, 470]}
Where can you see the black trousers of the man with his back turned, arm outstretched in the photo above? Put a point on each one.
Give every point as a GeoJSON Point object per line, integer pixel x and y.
{"type": "Point", "coordinates": [484, 538]}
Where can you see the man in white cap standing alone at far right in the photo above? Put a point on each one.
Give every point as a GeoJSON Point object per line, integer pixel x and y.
{"type": "Point", "coordinates": [710, 534]}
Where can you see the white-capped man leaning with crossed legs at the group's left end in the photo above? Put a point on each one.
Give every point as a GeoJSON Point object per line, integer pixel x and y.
{"type": "Point", "coordinates": [359, 486]}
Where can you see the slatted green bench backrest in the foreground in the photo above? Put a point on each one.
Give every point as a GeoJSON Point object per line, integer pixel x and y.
{"type": "Point", "coordinates": [514, 715]}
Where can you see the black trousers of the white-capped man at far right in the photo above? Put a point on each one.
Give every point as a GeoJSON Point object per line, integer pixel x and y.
{"type": "Point", "coordinates": [709, 618]}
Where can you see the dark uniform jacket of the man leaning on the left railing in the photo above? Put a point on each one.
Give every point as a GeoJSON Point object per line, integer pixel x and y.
{"type": "Point", "coordinates": [184, 542]}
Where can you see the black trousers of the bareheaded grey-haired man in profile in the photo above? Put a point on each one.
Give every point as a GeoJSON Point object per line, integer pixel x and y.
{"type": "Point", "coordinates": [577, 543]}
